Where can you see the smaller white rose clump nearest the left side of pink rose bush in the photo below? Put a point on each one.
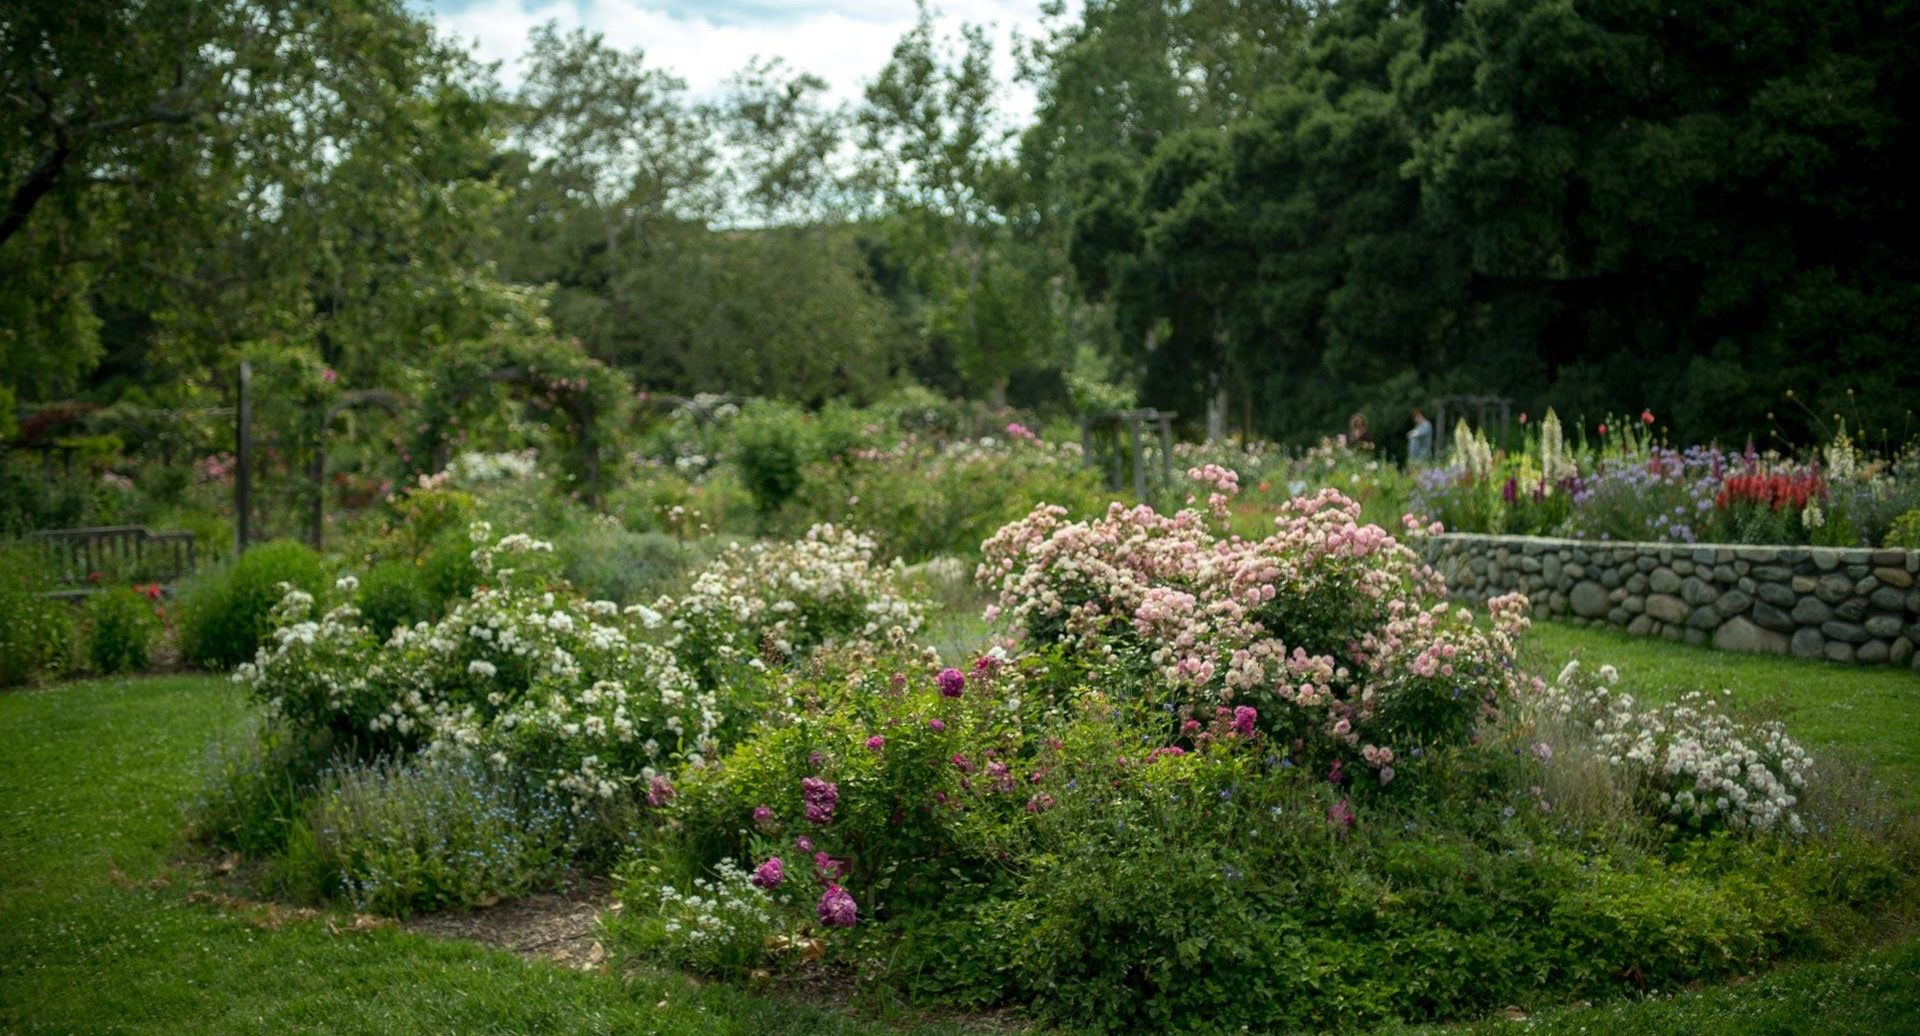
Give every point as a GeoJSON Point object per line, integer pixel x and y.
{"type": "Point", "coordinates": [780, 600]}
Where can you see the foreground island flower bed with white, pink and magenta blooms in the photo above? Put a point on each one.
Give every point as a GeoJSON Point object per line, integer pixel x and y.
{"type": "Point", "coordinates": [1189, 765]}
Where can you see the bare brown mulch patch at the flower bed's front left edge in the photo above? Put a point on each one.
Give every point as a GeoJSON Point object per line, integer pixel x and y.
{"type": "Point", "coordinates": [562, 928]}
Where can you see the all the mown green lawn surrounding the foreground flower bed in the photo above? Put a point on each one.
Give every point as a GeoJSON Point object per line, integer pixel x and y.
{"type": "Point", "coordinates": [105, 931]}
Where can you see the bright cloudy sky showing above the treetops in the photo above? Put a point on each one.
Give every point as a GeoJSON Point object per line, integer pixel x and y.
{"type": "Point", "coordinates": [706, 41]}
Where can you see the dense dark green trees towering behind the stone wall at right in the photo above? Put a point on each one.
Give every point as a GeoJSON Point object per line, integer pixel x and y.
{"type": "Point", "coordinates": [1598, 206]}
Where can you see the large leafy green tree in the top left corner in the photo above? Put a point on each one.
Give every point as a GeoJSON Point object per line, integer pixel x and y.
{"type": "Point", "coordinates": [187, 177]}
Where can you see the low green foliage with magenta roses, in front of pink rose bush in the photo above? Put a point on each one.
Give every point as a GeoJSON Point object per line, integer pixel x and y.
{"type": "Point", "coordinates": [1128, 893]}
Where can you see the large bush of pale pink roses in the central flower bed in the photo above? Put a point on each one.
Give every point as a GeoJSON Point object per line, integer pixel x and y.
{"type": "Point", "coordinates": [1326, 615]}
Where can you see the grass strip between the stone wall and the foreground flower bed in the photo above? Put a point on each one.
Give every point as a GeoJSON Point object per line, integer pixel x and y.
{"type": "Point", "coordinates": [1867, 715]}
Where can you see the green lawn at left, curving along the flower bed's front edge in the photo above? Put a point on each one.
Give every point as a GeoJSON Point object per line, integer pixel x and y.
{"type": "Point", "coordinates": [93, 786]}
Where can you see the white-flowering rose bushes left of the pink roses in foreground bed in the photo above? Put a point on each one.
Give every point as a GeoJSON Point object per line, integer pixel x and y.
{"type": "Point", "coordinates": [577, 694]}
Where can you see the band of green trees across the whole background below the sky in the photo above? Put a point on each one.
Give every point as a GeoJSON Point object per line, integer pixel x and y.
{"type": "Point", "coordinates": [1297, 210]}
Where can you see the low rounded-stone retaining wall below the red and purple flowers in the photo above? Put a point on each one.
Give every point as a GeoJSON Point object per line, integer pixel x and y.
{"type": "Point", "coordinates": [1804, 601]}
